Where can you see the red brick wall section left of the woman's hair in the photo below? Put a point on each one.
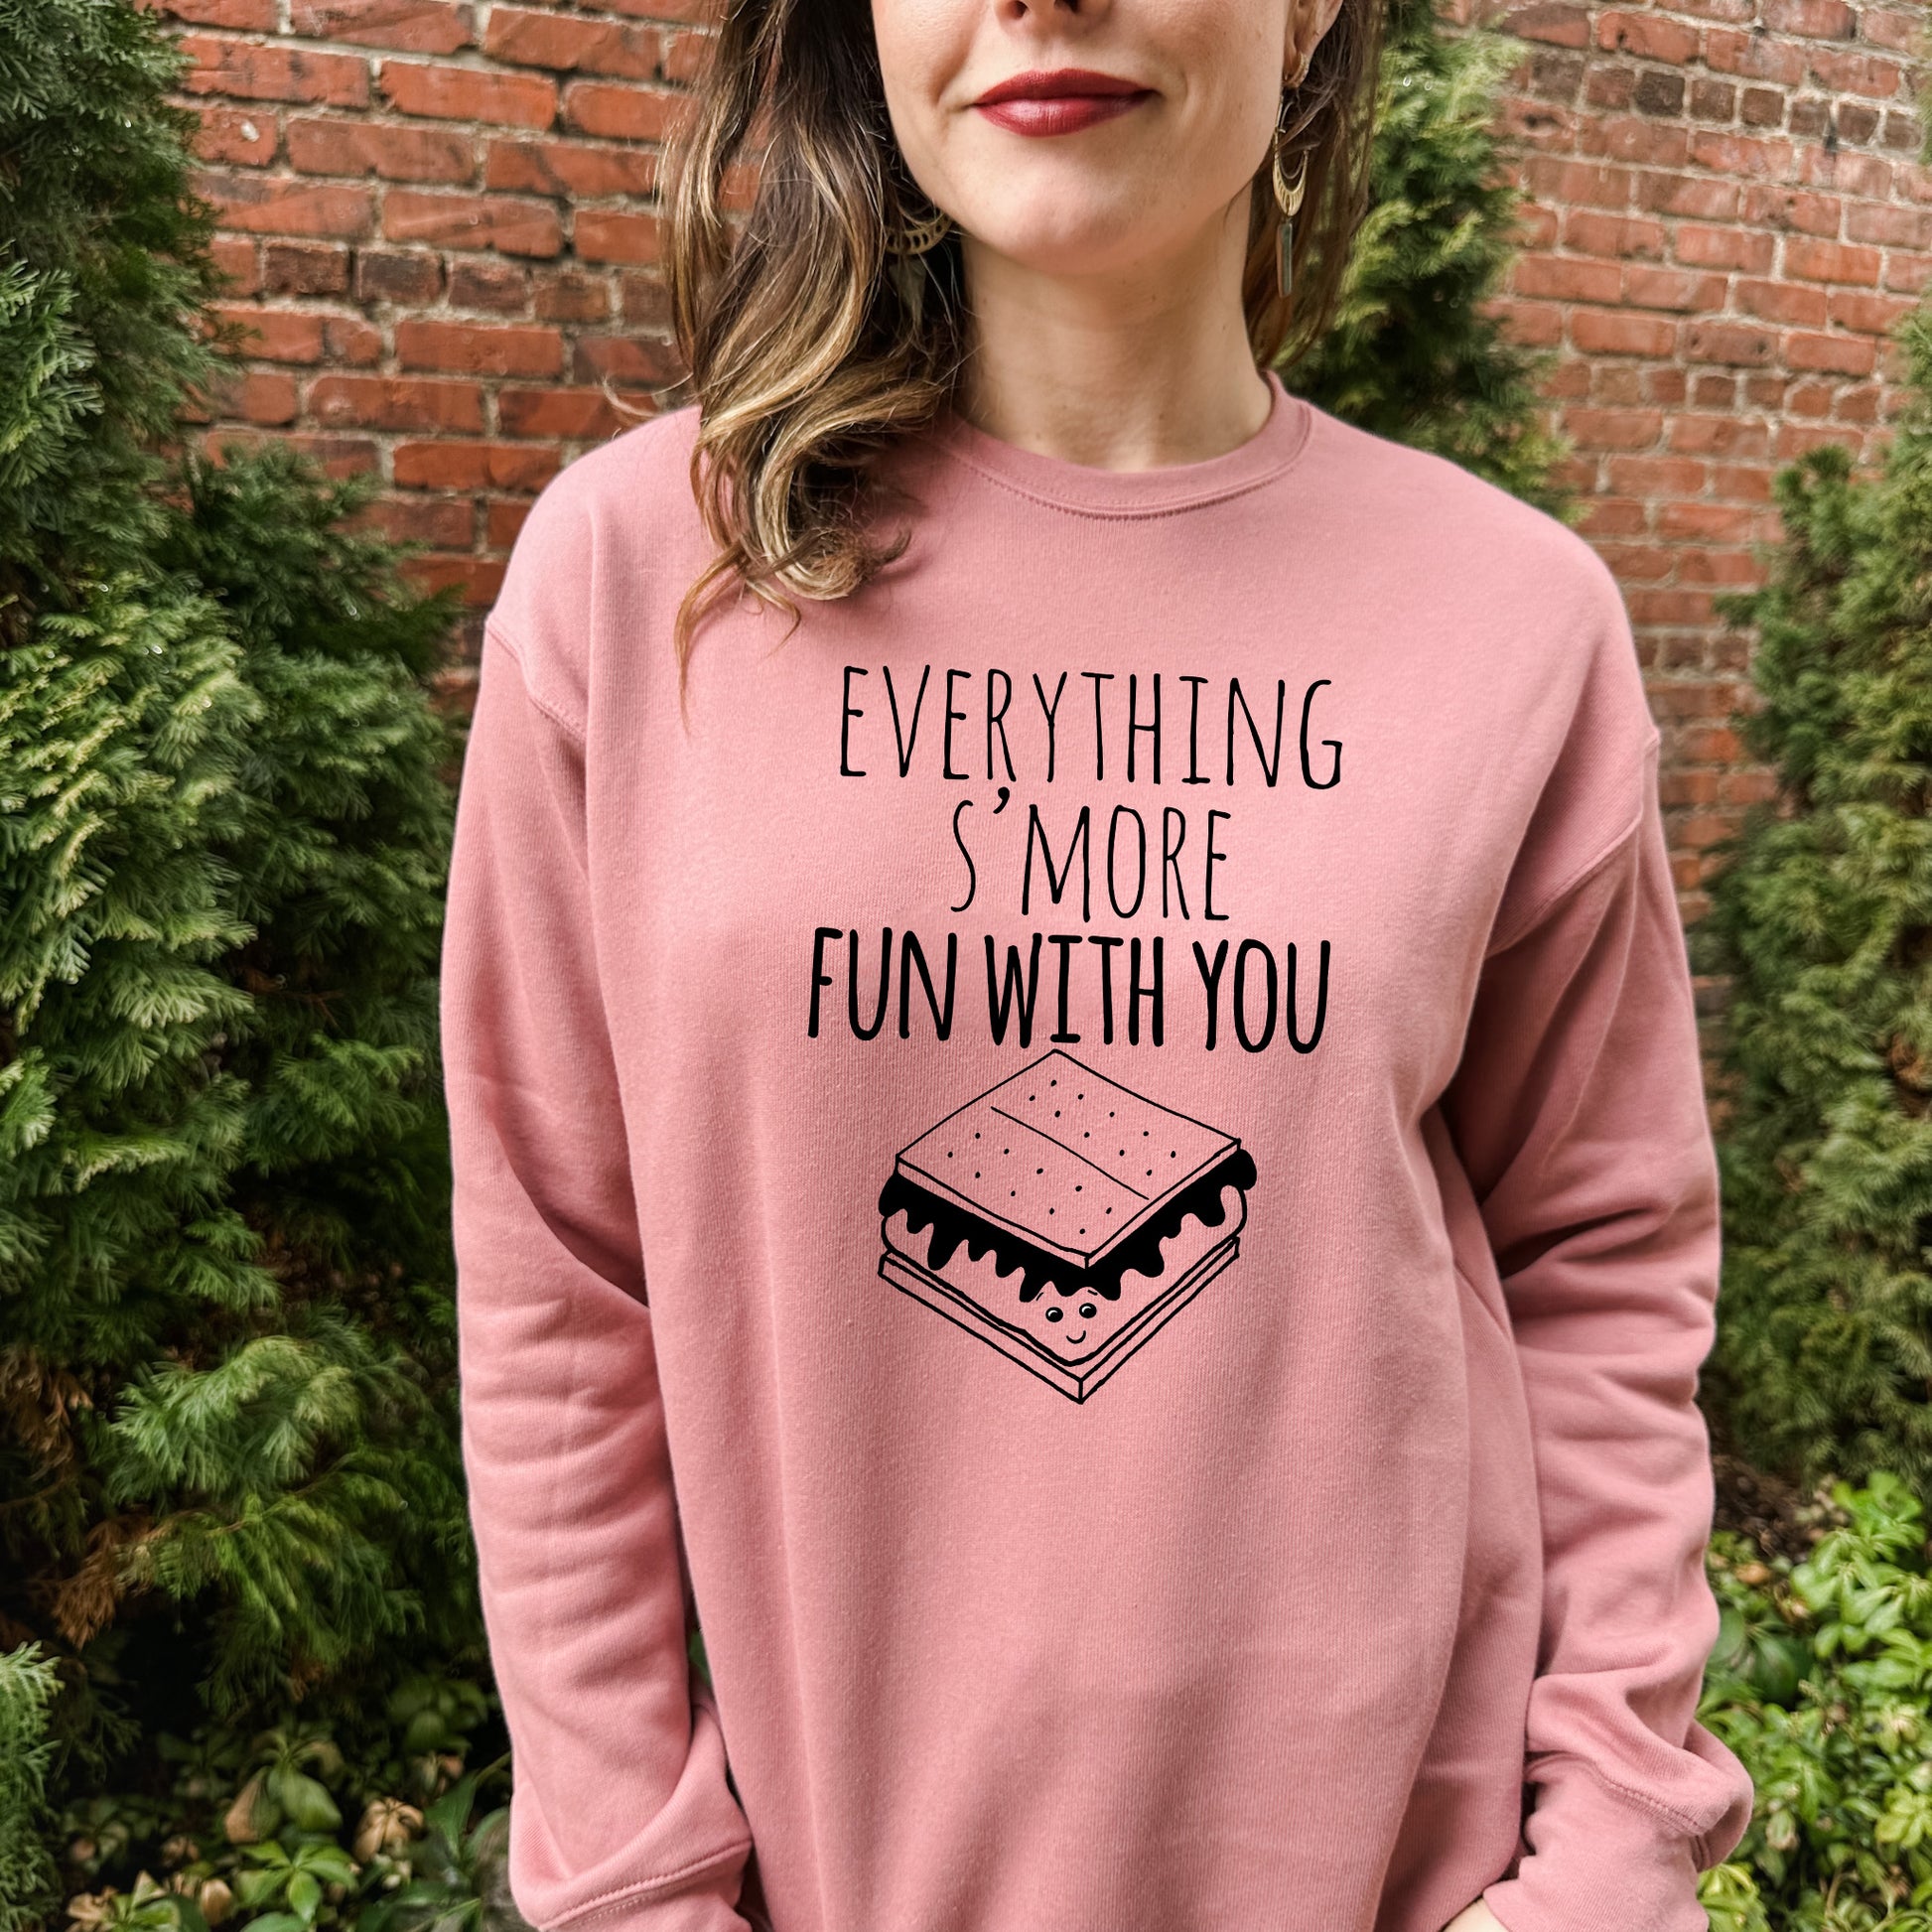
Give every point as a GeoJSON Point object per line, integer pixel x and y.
{"type": "Point", "coordinates": [438, 225]}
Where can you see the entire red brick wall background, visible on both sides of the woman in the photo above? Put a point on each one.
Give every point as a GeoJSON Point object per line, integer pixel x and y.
{"type": "Point", "coordinates": [440, 223]}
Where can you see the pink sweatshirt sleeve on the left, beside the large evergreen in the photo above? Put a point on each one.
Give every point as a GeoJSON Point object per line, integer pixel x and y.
{"type": "Point", "coordinates": [621, 1813]}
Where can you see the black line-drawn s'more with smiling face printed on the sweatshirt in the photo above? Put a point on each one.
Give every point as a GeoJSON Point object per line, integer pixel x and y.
{"type": "Point", "coordinates": [1064, 1220]}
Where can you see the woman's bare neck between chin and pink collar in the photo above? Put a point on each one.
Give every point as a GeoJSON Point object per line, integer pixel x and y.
{"type": "Point", "coordinates": [1137, 370]}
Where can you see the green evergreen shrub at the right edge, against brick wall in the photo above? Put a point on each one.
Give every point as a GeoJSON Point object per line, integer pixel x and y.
{"type": "Point", "coordinates": [1825, 924]}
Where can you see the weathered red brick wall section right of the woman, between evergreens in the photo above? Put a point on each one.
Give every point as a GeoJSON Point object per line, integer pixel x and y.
{"type": "Point", "coordinates": [1726, 219]}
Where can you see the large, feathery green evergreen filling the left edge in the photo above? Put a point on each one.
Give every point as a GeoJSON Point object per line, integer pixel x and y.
{"type": "Point", "coordinates": [229, 1473]}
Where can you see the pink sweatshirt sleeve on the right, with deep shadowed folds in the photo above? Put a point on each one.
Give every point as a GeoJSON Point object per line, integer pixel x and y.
{"type": "Point", "coordinates": [1579, 1116]}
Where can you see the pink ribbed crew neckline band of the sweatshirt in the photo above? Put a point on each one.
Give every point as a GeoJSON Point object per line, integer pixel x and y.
{"type": "Point", "coordinates": [1158, 492]}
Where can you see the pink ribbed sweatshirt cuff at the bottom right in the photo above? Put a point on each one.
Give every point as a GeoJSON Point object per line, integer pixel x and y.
{"type": "Point", "coordinates": [1599, 1863]}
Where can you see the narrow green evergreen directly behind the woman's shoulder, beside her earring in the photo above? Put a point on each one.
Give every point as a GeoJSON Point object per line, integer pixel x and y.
{"type": "Point", "coordinates": [1417, 353]}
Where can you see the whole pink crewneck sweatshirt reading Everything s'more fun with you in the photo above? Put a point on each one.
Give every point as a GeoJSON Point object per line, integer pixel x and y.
{"type": "Point", "coordinates": [1098, 1166]}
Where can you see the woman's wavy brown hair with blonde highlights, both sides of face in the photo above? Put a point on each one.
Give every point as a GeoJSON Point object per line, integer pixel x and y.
{"type": "Point", "coordinates": [809, 349]}
